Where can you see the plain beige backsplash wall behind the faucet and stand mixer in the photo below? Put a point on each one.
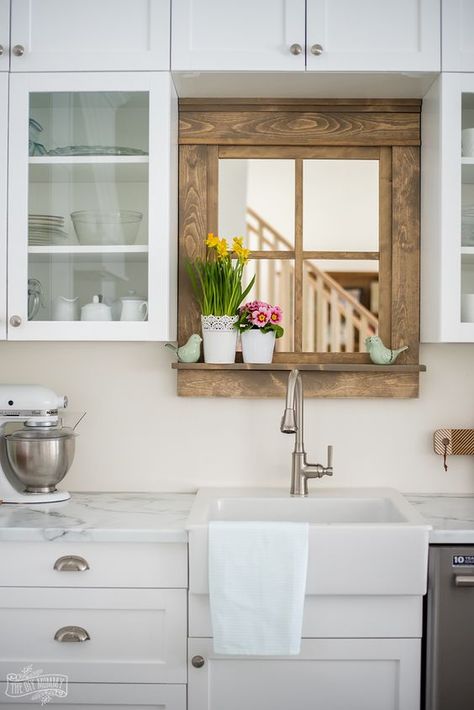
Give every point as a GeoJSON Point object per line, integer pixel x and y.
{"type": "Point", "coordinates": [139, 436]}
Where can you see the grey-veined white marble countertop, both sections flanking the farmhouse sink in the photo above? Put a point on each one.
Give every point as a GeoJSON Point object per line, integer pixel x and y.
{"type": "Point", "coordinates": [161, 517]}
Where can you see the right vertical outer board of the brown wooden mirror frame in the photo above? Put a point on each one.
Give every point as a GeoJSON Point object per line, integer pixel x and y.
{"type": "Point", "coordinates": [406, 251]}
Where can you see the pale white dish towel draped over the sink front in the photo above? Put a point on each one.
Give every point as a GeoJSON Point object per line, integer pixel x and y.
{"type": "Point", "coordinates": [257, 581]}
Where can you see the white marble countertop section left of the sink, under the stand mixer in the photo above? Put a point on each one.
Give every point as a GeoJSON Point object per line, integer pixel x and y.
{"type": "Point", "coordinates": [100, 517]}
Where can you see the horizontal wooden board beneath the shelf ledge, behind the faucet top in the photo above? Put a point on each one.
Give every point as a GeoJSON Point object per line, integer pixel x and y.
{"type": "Point", "coordinates": [258, 384]}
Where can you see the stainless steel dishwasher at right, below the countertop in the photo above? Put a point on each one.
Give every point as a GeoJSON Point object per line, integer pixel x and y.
{"type": "Point", "coordinates": [450, 628]}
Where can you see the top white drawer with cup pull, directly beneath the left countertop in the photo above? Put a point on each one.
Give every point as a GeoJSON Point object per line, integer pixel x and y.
{"type": "Point", "coordinates": [109, 564]}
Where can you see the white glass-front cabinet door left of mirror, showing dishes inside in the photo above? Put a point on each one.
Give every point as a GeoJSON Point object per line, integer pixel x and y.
{"type": "Point", "coordinates": [91, 224]}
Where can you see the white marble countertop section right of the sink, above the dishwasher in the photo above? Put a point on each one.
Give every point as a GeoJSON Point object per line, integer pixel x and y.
{"type": "Point", "coordinates": [452, 517]}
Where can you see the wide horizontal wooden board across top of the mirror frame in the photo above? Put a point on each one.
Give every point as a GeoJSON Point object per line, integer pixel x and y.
{"type": "Point", "coordinates": [289, 128]}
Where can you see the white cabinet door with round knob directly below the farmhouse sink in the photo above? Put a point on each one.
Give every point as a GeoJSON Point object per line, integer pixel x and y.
{"type": "Point", "coordinates": [360, 674]}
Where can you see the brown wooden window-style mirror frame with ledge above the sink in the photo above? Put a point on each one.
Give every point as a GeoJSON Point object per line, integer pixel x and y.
{"type": "Point", "coordinates": [390, 130]}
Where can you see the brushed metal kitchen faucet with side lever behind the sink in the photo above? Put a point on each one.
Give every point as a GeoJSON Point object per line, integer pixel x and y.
{"type": "Point", "coordinates": [292, 423]}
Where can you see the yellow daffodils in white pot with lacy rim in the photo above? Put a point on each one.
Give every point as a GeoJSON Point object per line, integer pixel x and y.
{"type": "Point", "coordinates": [217, 284]}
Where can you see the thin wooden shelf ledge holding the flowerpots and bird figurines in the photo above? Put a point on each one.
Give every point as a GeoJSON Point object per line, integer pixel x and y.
{"type": "Point", "coordinates": [312, 367]}
